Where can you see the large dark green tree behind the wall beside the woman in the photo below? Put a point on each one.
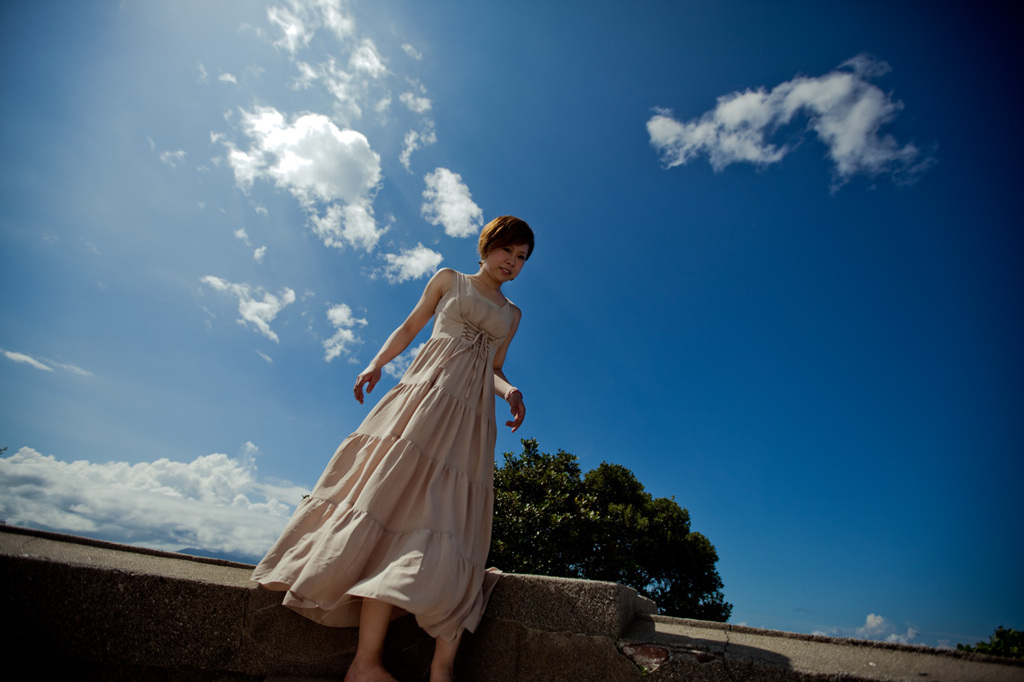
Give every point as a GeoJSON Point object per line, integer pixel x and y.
{"type": "Point", "coordinates": [552, 521]}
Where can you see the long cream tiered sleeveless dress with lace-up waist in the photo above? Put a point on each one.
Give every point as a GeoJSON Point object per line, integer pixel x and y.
{"type": "Point", "coordinates": [403, 511]}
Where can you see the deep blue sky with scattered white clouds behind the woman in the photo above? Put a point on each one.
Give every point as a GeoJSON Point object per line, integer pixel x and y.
{"type": "Point", "coordinates": [778, 272]}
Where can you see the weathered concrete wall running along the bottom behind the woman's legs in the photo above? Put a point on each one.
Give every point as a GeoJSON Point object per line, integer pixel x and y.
{"type": "Point", "coordinates": [101, 612]}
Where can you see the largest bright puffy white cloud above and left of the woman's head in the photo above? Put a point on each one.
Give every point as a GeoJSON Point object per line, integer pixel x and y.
{"type": "Point", "coordinates": [319, 164]}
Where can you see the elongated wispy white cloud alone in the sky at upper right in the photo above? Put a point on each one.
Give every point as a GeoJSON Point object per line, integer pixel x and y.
{"type": "Point", "coordinates": [843, 108]}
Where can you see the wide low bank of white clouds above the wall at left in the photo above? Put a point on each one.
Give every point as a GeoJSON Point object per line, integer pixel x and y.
{"type": "Point", "coordinates": [215, 502]}
